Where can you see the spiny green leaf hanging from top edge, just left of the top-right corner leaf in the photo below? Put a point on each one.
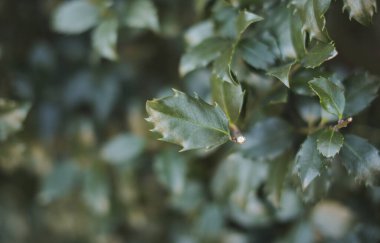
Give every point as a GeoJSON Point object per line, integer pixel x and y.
{"type": "Point", "coordinates": [312, 16]}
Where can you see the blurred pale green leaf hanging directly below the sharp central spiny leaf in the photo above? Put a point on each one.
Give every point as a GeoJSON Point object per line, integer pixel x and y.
{"type": "Point", "coordinates": [171, 170]}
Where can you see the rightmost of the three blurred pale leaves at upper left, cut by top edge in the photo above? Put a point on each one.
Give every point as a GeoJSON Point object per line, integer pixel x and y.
{"type": "Point", "coordinates": [142, 14]}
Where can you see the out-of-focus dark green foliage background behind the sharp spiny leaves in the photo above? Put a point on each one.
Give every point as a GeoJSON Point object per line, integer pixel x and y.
{"type": "Point", "coordinates": [75, 76]}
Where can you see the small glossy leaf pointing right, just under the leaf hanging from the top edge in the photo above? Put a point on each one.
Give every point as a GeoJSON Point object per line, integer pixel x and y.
{"type": "Point", "coordinates": [318, 54]}
